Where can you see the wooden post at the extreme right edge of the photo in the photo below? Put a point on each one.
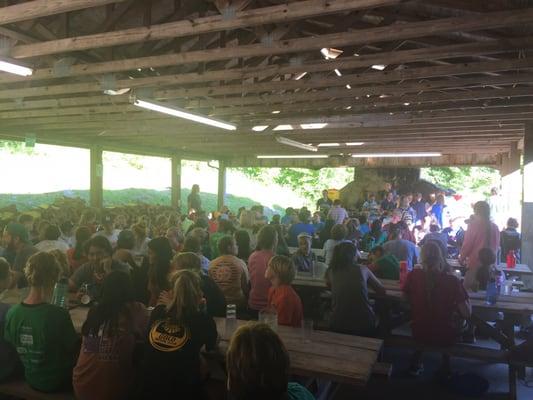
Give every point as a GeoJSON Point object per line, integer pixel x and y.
{"type": "Point", "coordinates": [527, 205]}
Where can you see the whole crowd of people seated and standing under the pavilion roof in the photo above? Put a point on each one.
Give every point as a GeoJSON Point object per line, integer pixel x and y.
{"type": "Point", "coordinates": [155, 279]}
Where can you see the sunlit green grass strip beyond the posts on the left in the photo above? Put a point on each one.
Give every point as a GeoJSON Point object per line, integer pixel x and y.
{"type": "Point", "coordinates": [25, 202]}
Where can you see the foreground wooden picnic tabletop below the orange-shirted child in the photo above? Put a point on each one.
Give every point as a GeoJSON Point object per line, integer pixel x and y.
{"type": "Point", "coordinates": [332, 356]}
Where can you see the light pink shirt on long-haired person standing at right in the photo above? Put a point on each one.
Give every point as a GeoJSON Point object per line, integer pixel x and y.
{"type": "Point", "coordinates": [476, 239]}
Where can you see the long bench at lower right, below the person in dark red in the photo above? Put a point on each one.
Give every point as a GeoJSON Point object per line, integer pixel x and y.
{"type": "Point", "coordinates": [495, 356]}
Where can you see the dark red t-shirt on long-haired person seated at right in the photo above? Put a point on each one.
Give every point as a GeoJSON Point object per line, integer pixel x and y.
{"type": "Point", "coordinates": [433, 317]}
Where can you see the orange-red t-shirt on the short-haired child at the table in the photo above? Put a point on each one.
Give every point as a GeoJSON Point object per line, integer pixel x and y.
{"type": "Point", "coordinates": [287, 304]}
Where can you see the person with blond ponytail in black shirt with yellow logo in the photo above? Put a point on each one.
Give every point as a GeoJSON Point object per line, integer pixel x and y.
{"type": "Point", "coordinates": [178, 331]}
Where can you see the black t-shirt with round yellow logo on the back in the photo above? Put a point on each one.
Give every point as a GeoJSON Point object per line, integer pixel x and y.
{"type": "Point", "coordinates": [171, 365]}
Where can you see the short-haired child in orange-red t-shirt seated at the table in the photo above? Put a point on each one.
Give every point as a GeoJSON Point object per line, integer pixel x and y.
{"type": "Point", "coordinates": [281, 296]}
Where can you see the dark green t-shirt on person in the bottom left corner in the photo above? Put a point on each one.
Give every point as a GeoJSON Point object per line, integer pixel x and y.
{"type": "Point", "coordinates": [46, 342]}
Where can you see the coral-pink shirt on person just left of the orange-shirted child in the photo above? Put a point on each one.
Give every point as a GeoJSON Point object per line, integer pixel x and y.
{"type": "Point", "coordinates": [257, 265]}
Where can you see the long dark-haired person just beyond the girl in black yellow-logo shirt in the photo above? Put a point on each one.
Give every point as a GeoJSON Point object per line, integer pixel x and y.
{"type": "Point", "coordinates": [159, 258]}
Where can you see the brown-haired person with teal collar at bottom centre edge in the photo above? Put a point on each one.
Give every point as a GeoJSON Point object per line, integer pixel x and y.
{"type": "Point", "coordinates": [259, 366]}
